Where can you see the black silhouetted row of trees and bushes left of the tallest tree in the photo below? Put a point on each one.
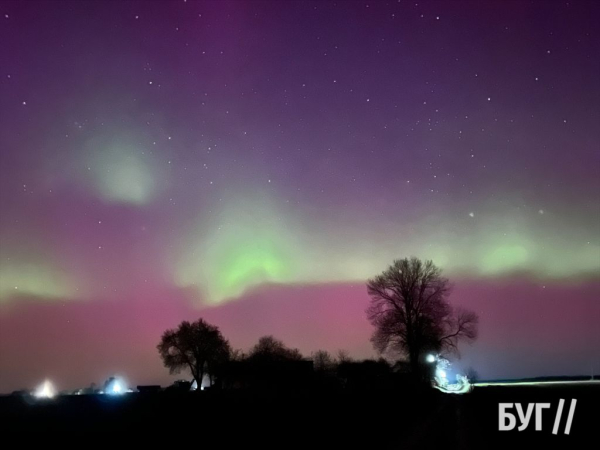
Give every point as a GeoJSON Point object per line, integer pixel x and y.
{"type": "Point", "coordinates": [200, 348]}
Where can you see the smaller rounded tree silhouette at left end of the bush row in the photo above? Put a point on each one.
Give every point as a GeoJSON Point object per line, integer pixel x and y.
{"type": "Point", "coordinates": [197, 346]}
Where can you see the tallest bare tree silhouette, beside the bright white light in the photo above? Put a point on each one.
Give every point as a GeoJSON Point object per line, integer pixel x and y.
{"type": "Point", "coordinates": [411, 314]}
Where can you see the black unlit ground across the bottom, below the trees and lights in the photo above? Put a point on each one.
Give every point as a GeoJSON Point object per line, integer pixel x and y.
{"type": "Point", "coordinates": [408, 418]}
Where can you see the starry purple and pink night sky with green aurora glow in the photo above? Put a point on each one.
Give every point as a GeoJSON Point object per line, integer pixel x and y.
{"type": "Point", "coordinates": [254, 162]}
